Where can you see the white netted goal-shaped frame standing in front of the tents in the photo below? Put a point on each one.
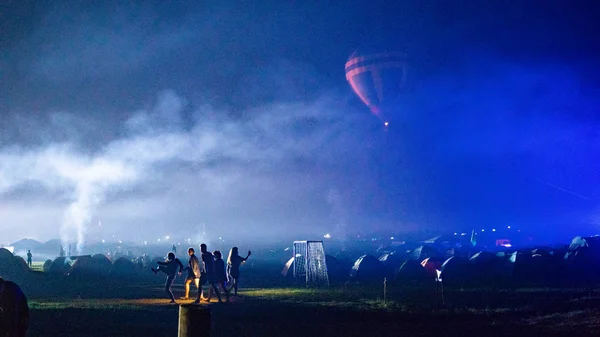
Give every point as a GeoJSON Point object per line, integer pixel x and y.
{"type": "Point", "coordinates": [310, 263]}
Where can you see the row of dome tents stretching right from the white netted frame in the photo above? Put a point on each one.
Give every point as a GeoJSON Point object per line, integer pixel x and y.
{"type": "Point", "coordinates": [579, 263]}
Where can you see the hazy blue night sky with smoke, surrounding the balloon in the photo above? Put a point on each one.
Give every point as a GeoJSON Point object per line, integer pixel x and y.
{"type": "Point", "coordinates": [159, 117]}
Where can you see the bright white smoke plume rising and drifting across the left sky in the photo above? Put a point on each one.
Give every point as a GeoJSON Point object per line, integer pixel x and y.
{"type": "Point", "coordinates": [152, 140]}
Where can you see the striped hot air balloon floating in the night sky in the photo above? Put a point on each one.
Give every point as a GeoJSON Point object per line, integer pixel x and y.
{"type": "Point", "coordinates": [378, 77]}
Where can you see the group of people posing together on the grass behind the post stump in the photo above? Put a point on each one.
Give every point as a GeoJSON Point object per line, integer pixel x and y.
{"type": "Point", "coordinates": [209, 270]}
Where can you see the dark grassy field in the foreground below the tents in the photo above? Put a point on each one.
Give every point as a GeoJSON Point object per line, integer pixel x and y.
{"type": "Point", "coordinates": [63, 306]}
